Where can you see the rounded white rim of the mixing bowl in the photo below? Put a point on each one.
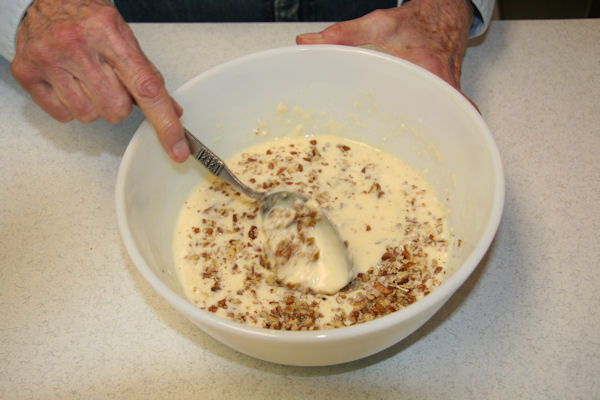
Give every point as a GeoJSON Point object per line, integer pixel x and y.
{"type": "Point", "coordinates": [439, 295]}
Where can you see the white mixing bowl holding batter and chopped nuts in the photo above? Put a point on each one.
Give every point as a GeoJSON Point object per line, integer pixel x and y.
{"type": "Point", "coordinates": [362, 94]}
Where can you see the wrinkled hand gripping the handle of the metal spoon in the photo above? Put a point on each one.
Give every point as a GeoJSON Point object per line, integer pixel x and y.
{"type": "Point", "coordinates": [79, 59]}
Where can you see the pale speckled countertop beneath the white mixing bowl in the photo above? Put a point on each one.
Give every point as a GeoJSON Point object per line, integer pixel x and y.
{"type": "Point", "coordinates": [79, 321]}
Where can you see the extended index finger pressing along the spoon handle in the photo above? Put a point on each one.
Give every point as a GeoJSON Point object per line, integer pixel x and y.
{"type": "Point", "coordinates": [146, 86]}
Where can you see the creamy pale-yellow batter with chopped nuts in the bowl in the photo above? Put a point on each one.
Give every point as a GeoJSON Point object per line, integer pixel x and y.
{"type": "Point", "coordinates": [394, 228]}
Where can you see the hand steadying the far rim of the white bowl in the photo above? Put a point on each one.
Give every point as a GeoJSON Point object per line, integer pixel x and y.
{"type": "Point", "coordinates": [429, 33]}
